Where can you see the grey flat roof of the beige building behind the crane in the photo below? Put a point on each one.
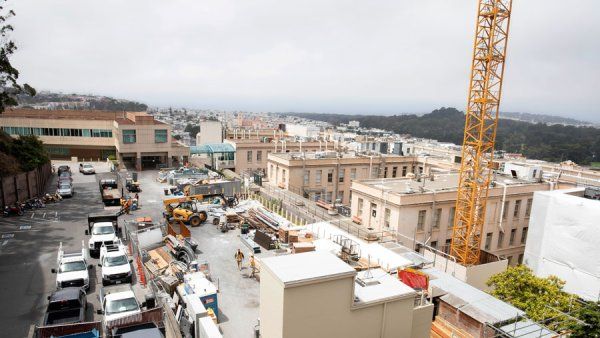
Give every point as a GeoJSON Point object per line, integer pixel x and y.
{"type": "Point", "coordinates": [441, 182]}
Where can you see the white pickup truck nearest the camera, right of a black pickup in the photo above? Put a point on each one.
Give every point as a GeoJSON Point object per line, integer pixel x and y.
{"type": "Point", "coordinates": [118, 301]}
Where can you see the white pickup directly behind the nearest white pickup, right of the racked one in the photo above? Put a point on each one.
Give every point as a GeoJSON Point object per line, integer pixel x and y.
{"type": "Point", "coordinates": [116, 266]}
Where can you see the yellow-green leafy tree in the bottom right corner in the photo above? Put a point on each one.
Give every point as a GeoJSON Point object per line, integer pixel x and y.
{"type": "Point", "coordinates": [540, 298]}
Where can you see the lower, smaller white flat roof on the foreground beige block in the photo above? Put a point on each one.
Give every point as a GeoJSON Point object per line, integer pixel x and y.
{"type": "Point", "coordinates": [379, 286]}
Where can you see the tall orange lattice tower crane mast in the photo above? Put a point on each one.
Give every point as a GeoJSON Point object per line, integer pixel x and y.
{"type": "Point", "coordinates": [481, 121]}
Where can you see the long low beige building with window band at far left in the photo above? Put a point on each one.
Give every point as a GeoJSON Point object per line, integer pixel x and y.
{"type": "Point", "coordinates": [135, 138]}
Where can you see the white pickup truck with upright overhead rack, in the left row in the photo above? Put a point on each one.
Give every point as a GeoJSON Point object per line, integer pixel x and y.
{"type": "Point", "coordinates": [72, 269]}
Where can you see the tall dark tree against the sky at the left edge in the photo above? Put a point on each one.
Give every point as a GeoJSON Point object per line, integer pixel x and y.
{"type": "Point", "coordinates": [9, 87]}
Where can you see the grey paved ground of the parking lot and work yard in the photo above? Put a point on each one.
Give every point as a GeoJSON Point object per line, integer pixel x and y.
{"type": "Point", "coordinates": [29, 245]}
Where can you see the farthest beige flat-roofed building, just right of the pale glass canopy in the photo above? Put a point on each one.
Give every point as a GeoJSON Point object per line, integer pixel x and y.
{"type": "Point", "coordinates": [251, 154]}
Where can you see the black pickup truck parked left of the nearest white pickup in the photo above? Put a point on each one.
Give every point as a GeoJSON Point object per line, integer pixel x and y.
{"type": "Point", "coordinates": [66, 306]}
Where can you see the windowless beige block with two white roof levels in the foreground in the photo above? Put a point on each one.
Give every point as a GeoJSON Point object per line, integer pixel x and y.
{"type": "Point", "coordinates": [317, 295]}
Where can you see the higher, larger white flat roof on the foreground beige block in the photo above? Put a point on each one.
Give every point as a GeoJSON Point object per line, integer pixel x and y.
{"type": "Point", "coordinates": [297, 269]}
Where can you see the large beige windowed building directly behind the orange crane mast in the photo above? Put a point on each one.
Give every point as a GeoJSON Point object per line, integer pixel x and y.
{"type": "Point", "coordinates": [424, 211]}
